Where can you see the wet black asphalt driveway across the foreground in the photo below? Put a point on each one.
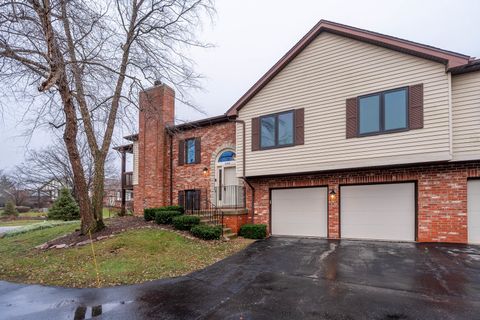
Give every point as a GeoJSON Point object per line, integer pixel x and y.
{"type": "Point", "coordinates": [283, 278]}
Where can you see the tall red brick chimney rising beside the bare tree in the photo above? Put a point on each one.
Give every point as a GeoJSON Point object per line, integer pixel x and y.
{"type": "Point", "coordinates": [157, 111]}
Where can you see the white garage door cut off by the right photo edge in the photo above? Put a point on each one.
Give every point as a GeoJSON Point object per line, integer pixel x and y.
{"type": "Point", "coordinates": [473, 218]}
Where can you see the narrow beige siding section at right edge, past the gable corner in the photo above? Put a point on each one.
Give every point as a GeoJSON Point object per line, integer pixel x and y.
{"type": "Point", "coordinates": [466, 116]}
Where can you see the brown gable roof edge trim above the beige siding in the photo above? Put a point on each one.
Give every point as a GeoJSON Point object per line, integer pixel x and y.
{"type": "Point", "coordinates": [450, 59]}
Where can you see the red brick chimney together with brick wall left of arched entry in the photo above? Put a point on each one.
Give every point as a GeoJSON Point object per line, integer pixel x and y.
{"type": "Point", "coordinates": [154, 143]}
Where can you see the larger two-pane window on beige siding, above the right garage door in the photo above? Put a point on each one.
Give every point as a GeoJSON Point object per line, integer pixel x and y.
{"type": "Point", "coordinates": [383, 112]}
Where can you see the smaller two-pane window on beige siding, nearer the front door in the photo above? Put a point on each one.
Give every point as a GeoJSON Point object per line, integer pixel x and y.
{"type": "Point", "coordinates": [277, 130]}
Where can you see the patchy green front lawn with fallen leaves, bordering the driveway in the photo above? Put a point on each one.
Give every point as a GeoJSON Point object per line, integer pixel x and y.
{"type": "Point", "coordinates": [130, 257]}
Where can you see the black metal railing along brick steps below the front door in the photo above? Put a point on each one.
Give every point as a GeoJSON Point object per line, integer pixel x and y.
{"type": "Point", "coordinates": [196, 202]}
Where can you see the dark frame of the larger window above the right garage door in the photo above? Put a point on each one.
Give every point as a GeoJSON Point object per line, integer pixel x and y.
{"type": "Point", "coordinates": [382, 113]}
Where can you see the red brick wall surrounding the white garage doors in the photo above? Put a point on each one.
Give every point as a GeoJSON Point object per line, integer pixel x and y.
{"type": "Point", "coordinates": [442, 196]}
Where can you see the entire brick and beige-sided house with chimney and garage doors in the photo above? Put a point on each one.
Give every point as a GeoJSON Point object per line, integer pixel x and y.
{"type": "Point", "coordinates": [352, 134]}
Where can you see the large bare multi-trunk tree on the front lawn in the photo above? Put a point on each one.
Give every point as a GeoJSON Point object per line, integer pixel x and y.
{"type": "Point", "coordinates": [88, 60]}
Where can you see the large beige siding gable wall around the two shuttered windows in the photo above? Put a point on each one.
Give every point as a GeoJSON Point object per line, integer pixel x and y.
{"type": "Point", "coordinates": [327, 72]}
